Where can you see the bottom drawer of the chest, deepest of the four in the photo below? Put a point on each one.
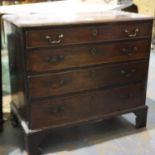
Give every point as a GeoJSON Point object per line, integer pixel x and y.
{"type": "Point", "coordinates": [88, 106]}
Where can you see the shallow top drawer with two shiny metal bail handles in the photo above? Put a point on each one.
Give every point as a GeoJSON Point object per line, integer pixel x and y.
{"type": "Point", "coordinates": [56, 36]}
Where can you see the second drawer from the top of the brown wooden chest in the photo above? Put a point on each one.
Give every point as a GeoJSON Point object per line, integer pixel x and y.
{"type": "Point", "coordinates": [42, 60]}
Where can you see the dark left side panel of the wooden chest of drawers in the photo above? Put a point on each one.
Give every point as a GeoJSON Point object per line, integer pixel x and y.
{"type": "Point", "coordinates": [17, 73]}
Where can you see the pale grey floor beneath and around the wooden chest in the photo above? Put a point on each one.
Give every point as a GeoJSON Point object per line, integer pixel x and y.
{"type": "Point", "coordinates": [111, 137]}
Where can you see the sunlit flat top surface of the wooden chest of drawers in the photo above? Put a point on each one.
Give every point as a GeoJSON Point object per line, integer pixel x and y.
{"type": "Point", "coordinates": [73, 17]}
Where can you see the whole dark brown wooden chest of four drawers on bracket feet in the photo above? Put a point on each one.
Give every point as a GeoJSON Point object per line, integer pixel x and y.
{"type": "Point", "coordinates": [81, 70]}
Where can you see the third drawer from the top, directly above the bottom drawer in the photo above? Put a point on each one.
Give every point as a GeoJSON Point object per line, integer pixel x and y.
{"type": "Point", "coordinates": [85, 79]}
